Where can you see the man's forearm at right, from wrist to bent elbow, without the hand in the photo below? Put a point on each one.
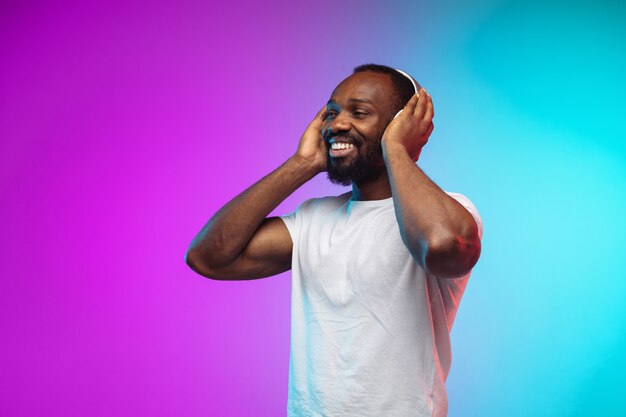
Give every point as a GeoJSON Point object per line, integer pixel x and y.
{"type": "Point", "coordinates": [439, 232]}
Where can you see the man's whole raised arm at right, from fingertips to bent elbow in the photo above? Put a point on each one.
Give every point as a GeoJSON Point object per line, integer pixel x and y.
{"type": "Point", "coordinates": [439, 232]}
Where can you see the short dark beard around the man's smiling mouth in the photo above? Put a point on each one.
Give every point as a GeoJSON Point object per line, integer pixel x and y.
{"type": "Point", "coordinates": [360, 168]}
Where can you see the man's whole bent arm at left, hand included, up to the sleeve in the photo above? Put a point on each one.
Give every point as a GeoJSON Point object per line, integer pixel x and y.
{"type": "Point", "coordinates": [239, 241]}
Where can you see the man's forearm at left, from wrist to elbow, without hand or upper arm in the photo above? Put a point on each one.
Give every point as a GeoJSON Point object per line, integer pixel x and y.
{"type": "Point", "coordinates": [228, 232]}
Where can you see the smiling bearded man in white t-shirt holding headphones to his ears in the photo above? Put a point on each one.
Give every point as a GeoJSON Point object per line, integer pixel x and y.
{"type": "Point", "coordinates": [377, 273]}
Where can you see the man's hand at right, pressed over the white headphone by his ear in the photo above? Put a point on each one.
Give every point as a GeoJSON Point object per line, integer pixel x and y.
{"type": "Point", "coordinates": [413, 126]}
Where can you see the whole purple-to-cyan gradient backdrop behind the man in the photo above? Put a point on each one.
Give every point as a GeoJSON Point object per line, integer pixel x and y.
{"type": "Point", "coordinates": [125, 125]}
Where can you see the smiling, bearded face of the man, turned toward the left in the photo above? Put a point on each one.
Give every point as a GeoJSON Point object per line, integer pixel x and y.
{"type": "Point", "coordinates": [358, 112]}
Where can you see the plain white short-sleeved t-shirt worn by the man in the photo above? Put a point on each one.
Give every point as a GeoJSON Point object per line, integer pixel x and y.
{"type": "Point", "coordinates": [370, 330]}
